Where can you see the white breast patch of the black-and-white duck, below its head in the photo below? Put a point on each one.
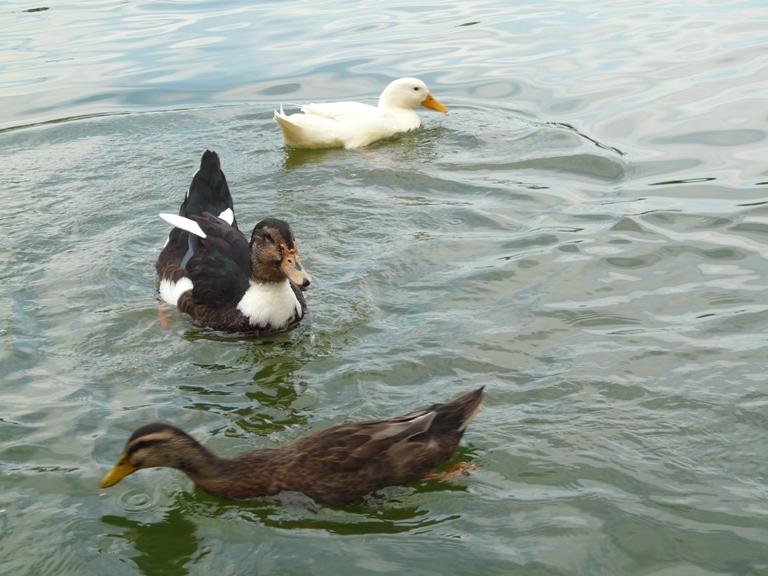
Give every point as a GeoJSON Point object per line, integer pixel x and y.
{"type": "Point", "coordinates": [274, 304]}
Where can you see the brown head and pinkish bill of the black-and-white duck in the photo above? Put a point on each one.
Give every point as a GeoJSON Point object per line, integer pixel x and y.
{"type": "Point", "coordinates": [274, 255]}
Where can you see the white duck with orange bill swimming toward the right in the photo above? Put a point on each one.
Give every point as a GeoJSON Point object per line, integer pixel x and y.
{"type": "Point", "coordinates": [353, 124]}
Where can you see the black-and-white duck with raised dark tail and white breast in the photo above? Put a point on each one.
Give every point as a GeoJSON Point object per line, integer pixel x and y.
{"type": "Point", "coordinates": [211, 271]}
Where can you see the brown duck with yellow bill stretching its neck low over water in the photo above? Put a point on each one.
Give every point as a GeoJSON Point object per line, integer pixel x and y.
{"type": "Point", "coordinates": [335, 466]}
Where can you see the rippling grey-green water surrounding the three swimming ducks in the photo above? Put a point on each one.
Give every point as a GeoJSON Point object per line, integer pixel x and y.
{"type": "Point", "coordinates": [584, 233]}
